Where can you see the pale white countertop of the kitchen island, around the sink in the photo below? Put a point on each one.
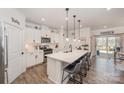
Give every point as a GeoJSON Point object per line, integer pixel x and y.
{"type": "Point", "coordinates": [67, 57]}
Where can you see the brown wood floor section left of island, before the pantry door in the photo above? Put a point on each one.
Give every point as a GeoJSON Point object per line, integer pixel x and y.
{"type": "Point", "coordinates": [34, 75]}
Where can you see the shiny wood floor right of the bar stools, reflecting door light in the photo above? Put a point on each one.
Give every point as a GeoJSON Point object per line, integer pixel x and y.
{"type": "Point", "coordinates": [103, 71]}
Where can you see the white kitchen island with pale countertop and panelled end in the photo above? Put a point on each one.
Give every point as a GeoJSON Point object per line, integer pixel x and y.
{"type": "Point", "coordinates": [56, 62]}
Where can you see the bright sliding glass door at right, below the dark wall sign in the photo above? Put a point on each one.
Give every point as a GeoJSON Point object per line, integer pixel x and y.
{"type": "Point", "coordinates": [105, 45]}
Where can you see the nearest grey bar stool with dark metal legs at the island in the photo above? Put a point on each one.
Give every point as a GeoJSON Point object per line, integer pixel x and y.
{"type": "Point", "coordinates": [72, 70]}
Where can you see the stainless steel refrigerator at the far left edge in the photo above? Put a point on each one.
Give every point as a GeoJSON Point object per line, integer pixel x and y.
{"type": "Point", "coordinates": [3, 55]}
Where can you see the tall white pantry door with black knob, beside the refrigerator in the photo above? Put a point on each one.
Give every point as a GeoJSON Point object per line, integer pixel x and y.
{"type": "Point", "coordinates": [15, 48]}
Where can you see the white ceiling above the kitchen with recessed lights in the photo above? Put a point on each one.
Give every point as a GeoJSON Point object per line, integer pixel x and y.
{"type": "Point", "coordinates": [94, 18]}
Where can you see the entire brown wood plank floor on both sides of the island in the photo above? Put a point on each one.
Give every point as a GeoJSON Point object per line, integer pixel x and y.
{"type": "Point", "coordinates": [102, 71]}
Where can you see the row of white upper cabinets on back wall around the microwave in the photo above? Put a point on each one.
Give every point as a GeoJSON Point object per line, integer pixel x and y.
{"type": "Point", "coordinates": [34, 33]}
